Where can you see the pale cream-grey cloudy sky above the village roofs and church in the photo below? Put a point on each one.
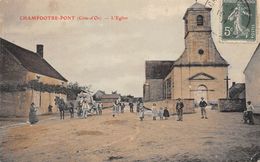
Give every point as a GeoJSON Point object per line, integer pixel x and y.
{"type": "Point", "coordinates": [109, 54]}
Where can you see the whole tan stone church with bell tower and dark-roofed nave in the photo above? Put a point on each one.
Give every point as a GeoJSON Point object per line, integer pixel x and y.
{"type": "Point", "coordinates": [200, 71]}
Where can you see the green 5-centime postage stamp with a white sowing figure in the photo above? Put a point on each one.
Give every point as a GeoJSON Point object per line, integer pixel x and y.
{"type": "Point", "coordinates": [239, 20]}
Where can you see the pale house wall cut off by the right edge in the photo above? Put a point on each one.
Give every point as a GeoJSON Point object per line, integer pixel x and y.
{"type": "Point", "coordinates": [252, 80]}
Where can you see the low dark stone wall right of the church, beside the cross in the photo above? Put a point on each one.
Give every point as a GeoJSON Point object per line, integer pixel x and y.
{"type": "Point", "coordinates": [231, 105]}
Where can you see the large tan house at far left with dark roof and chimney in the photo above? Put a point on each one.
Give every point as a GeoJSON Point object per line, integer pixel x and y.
{"type": "Point", "coordinates": [26, 77]}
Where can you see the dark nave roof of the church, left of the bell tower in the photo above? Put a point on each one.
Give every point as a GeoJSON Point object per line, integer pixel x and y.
{"type": "Point", "coordinates": [157, 69]}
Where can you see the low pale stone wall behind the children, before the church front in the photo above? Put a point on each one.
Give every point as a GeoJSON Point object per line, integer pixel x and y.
{"type": "Point", "coordinates": [189, 105]}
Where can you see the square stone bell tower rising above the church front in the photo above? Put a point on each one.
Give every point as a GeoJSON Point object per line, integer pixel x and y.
{"type": "Point", "coordinates": [198, 41]}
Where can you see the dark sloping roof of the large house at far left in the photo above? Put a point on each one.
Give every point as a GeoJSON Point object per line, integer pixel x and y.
{"type": "Point", "coordinates": [30, 60]}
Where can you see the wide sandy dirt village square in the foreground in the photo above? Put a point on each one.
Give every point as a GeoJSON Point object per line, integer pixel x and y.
{"type": "Point", "coordinates": [124, 138]}
